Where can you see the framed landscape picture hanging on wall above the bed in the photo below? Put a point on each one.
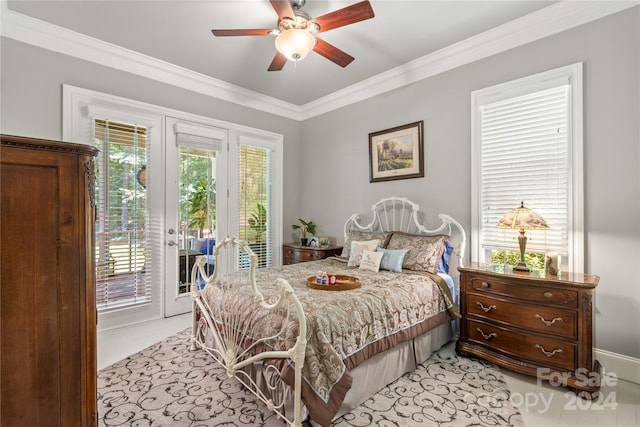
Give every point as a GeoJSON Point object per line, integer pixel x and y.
{"type": "Point", "coordinates": [397, 153]}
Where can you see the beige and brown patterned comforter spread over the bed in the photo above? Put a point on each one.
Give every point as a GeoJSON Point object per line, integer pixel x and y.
{"type": "Point", "coordinates": [344, 328]}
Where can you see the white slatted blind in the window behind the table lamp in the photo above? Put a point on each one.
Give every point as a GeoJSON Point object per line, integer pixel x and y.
{"type": "Point", "coordinates": [525, 158]}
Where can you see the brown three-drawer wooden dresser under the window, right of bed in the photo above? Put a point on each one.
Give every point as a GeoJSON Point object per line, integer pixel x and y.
{"type": "Point", "coordinates": [532, 323]}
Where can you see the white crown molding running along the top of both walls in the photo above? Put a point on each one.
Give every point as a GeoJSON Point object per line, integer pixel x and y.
{"type": "Point", "coordinates": [545, 22]}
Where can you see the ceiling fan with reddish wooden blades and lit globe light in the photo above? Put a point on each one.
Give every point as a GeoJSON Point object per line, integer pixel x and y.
{"type": "Point", "coordinates": [296, 32]}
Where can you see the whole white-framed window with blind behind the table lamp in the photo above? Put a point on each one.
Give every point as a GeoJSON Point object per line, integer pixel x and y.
{"type": "Point", "coordinates": [524, 143]}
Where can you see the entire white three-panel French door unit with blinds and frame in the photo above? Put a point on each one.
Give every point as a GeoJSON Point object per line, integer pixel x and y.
{"type": "Point", "coordinates": [165, 189]}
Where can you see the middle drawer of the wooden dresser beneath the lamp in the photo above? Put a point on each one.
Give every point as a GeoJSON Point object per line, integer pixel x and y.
{"type": "Point", "coordinates": [545, 319]}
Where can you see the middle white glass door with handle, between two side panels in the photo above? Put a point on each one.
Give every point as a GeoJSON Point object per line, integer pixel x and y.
{"type": "Point", "coordinates": [195, 199]}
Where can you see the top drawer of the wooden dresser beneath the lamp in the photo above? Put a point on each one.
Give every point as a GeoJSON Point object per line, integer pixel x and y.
{"type": "Point", "coordinates": [564, 297]}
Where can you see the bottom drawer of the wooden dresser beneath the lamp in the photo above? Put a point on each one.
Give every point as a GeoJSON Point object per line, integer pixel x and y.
{"type": "Point", "coordinates": [541, 350]}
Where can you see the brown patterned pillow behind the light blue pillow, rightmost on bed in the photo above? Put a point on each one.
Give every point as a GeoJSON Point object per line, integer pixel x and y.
{"type": "Point", "coordinates": [423, 252]}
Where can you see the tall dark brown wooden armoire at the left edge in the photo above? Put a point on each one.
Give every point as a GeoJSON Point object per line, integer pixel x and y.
{"type": "Point", "coordinates": [47, 293]}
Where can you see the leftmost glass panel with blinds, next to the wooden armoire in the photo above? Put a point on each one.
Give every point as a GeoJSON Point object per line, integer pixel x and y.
{"type": "Point", "coordinates": [121, 214]}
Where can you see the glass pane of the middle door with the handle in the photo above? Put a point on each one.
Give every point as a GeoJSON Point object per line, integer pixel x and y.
{"type": "Point", "coordinates": [197, 198]}
